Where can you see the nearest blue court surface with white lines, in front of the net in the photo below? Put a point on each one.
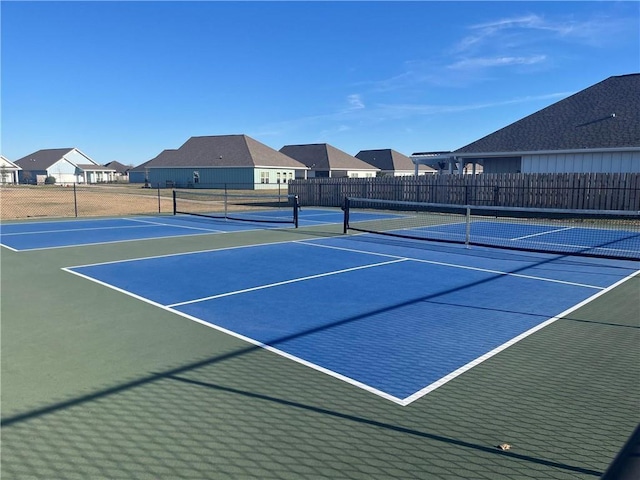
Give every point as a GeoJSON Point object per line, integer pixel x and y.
{"type": "Point", "coordinates": [391, 317]}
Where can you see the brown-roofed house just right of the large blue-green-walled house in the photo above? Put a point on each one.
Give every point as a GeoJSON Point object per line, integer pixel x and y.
{"type": "Point", "coordinates": [324, 160]}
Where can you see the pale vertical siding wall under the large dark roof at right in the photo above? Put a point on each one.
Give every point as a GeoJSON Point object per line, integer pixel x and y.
{"type": "Point", "coordinates": [605, 162]}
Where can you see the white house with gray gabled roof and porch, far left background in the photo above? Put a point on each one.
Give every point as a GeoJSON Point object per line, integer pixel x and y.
{"type": "Point", "coordinates": [66, 165]}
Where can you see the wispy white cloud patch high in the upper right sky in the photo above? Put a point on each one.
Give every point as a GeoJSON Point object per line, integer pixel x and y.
{"type": "Point", "coordinates": [519, 43]}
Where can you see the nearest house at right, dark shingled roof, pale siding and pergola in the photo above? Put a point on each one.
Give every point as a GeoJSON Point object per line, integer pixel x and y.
{"type": "Point", "coordinates": [594, 130]}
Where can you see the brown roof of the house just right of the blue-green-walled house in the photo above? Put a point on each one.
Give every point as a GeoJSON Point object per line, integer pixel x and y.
{"type": "Point", "coordinates": [322, 156]}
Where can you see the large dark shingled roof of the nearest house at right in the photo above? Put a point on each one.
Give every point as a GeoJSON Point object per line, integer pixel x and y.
{"type": "Point", "coordinates": [604, 115]}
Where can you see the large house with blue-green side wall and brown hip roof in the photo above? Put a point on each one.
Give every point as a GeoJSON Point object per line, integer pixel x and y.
{"type": "Point", "coordinates": [232, 161]}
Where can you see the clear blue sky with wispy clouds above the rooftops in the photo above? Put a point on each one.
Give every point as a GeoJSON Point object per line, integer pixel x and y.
{"type": "Point", "coordinates": [125, 80]}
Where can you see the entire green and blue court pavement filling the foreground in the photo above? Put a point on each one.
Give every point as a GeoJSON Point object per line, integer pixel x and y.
{"type": "Point", "coordinates": [282, 352]}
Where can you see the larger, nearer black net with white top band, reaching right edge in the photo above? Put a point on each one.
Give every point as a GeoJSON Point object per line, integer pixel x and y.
{"type": "Point", "coordinates": [594, 233]}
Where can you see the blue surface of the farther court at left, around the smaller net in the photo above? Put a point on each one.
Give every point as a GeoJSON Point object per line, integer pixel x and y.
{"type": "Point", "coordinates": [73, 233]}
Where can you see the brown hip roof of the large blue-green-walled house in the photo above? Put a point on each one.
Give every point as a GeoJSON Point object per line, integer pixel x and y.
{"type": "Point", "coordinates": [223, 151]}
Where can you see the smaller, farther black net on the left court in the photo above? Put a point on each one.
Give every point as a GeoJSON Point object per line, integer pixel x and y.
{"type": "Point", "coordinates": [258, 208]}
